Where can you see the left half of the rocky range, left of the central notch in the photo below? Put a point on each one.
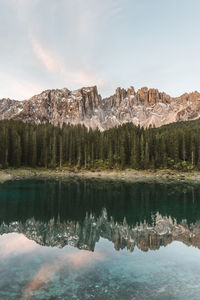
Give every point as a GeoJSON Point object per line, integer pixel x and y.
{"type": "Point", "coordinates": [56, 106]}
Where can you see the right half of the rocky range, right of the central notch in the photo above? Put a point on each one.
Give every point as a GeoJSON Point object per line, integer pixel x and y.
{"type": "Point", "coordinates": [150, 107]}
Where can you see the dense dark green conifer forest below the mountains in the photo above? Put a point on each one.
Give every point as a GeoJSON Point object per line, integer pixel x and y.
{"type": "Point", "coordinates": [173, 146]}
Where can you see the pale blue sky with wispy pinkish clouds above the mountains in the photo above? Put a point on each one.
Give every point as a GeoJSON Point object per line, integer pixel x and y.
{"type": "Point", "coordinates": [48, 44]}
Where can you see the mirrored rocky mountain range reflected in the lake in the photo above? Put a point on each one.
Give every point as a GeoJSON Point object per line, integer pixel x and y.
{"type": "Point", "coordinates": [85, 235]}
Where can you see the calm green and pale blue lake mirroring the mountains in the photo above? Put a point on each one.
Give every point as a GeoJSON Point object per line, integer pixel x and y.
{"type": "Point", "coordinates": [99, 240]}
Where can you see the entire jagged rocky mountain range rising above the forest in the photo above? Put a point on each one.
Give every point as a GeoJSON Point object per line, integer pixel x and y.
{"type": "Point", "coordinates": [85, 106]}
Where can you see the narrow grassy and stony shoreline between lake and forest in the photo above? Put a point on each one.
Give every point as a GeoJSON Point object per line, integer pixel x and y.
{"type": "Point", "coordinates": [128, 175]}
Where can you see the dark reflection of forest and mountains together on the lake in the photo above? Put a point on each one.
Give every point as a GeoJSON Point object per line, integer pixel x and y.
{"type": "Point", "coordinates": [79, 213]}
